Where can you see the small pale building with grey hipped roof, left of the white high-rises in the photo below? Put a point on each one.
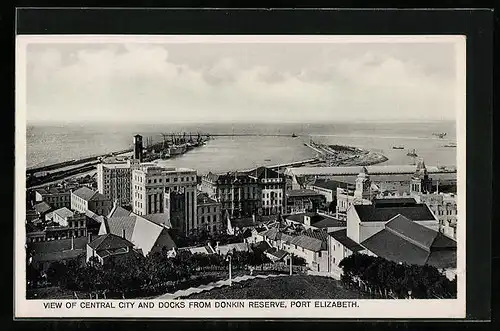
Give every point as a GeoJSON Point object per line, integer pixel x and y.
{"type": "Point", "coordinates": [85, 199]}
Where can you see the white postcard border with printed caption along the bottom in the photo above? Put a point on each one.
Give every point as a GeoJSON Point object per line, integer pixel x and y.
{"type": "Point", "coordinates": [366, 308]}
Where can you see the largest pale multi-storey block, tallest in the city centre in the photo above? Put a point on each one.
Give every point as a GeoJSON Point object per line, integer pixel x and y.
{"type": "Point", "coordinates": [171, 191]}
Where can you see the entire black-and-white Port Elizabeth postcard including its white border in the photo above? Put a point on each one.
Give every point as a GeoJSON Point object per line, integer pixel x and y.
{"type": "Point", "coordinates": [240, 176]}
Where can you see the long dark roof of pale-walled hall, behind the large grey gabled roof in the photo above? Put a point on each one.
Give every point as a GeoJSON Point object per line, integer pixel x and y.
{"type": "Point", "coordinates": [371, 213]}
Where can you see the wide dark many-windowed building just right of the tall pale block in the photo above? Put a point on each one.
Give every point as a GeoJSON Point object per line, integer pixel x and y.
{"type": "Point", "coordinates": [238, 193]}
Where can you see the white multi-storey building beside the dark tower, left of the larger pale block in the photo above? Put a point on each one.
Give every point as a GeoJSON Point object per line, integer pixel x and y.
{"type": "Point", "coordinates": [114, 180]}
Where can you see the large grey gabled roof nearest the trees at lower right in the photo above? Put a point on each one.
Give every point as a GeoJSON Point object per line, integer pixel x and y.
{"type": "Point", "coordinates": [408, 242]}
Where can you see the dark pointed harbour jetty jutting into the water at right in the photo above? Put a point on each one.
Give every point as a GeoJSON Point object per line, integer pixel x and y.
{"type": "Point", "coordinates": [339, 155]}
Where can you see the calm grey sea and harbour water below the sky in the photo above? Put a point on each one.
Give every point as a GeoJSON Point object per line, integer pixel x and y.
{"type": "Point", "coordinates": [52, 143]}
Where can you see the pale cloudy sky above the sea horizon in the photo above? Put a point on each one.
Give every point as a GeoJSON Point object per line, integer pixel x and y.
{"type": "Point", "coordinates": [207, 82]}
